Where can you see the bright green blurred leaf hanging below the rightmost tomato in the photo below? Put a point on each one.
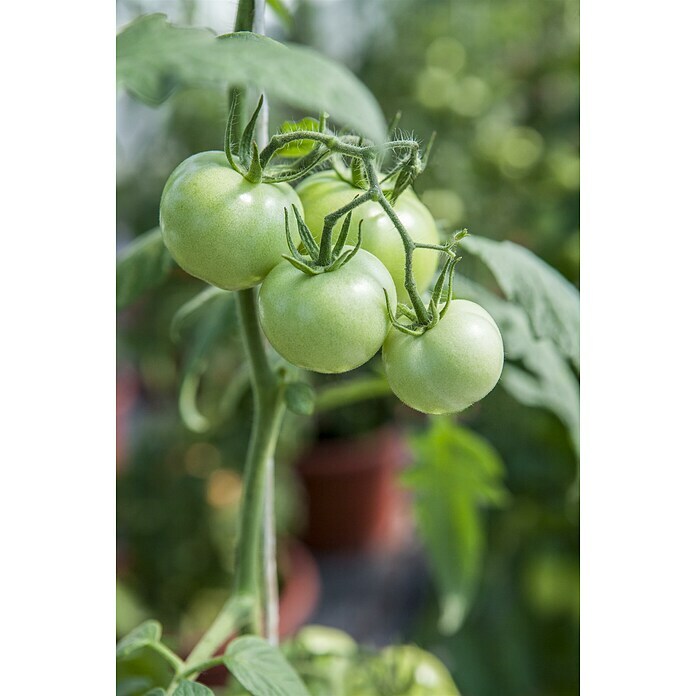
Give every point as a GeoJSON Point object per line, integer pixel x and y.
{"type": "Point", "coordinates": [455, 474]}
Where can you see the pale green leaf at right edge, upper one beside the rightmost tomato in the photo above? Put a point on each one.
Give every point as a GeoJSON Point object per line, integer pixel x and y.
{"type": "Point", "coordinates": [551, 302]}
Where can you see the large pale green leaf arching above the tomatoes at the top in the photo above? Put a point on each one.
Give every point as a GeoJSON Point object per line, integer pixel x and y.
{"type": "Point", "coordinates": [153, 58]}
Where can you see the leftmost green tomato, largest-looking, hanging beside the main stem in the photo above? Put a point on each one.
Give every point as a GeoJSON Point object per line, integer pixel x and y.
{"type": "Point", "coordinates": [220, 227]}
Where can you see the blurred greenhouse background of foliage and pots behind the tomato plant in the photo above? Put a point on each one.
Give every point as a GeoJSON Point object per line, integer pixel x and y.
{"type": "Point", "coordinates": [361, 546]}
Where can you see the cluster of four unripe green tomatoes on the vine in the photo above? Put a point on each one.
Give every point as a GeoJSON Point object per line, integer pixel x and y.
{"type": "Point", "coordinates": [233, 234]}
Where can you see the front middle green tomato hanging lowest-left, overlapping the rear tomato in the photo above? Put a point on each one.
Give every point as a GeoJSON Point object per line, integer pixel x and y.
{"type": "Point", "coordinates": [331, 322]}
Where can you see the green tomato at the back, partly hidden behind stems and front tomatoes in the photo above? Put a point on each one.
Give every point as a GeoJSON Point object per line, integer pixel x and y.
{"type": "Point", "coordinates": [325, 192]}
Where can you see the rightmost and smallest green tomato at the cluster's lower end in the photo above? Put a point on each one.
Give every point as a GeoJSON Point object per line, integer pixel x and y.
{"type": "Point", "coordinates": [449, 367]}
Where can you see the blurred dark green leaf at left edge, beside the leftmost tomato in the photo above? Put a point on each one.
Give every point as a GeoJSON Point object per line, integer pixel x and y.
{"type": "Point", "coordinates": [143, 265]}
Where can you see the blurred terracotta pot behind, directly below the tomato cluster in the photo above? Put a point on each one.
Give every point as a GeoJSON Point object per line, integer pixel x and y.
{"type": "Point", "coordinates": [352, 498]}
